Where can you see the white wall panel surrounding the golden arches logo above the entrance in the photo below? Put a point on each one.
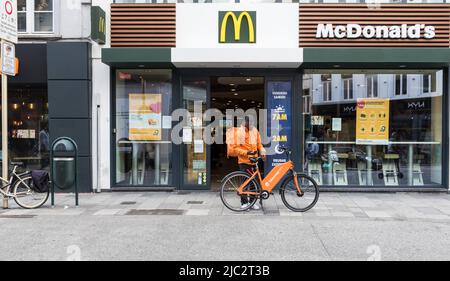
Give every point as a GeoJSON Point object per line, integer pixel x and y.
{"type": "Point", "coordinates": [197, 32]}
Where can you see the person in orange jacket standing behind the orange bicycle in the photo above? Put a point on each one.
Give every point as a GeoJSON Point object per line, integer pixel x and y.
{"type": "Point", "coordinates": [248, 145]}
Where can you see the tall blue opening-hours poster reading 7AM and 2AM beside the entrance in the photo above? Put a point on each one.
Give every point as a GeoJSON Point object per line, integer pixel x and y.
{"type": "Point", "coordinates": [279, 121]}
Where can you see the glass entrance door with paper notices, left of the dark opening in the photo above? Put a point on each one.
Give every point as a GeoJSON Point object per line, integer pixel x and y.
{"type": "Point", "coordinates": [196, 164]}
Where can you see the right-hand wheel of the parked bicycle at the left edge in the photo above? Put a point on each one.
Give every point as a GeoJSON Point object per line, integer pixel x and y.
{"type": "Point", "coordinates": [26, 197]}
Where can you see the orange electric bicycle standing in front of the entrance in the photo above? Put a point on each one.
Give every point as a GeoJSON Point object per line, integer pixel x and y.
{"type": "Point", "coordinates": [299, 192]}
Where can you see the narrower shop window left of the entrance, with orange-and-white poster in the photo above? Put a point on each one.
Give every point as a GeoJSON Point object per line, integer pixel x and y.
{"type": "Point", "coordinates": [142, 134]}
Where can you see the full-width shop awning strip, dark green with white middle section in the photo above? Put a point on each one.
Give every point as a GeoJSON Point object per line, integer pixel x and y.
{"type": "Point", "coordinates": [278, 58]}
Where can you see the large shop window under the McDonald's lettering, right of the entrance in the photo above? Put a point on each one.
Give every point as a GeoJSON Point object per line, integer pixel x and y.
{"type": "Point", "coordinates": [388, 133]}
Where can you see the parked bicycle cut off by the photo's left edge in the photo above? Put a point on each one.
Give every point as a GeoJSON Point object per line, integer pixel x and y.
{"type": "Point", "coordinates": [20, 187]}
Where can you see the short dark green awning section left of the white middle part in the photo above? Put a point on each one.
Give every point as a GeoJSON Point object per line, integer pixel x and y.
{"type": "Point", "coordinates": [135, 57]}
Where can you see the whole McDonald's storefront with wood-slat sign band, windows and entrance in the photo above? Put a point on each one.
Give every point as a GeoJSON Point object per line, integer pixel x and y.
{"type": "Point", "coordinates": [360, 94]}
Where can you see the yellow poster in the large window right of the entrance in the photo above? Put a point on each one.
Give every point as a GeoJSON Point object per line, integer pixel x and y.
{"type": "Point", "coordinates": [372, 121]}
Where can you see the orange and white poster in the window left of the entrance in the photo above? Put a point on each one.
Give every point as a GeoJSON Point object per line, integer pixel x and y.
{"type": "Point", "coordinates": [145, 117]}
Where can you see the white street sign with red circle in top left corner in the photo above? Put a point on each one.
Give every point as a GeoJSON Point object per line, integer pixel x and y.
{"type": "Point", "coordinates": [8, 20]}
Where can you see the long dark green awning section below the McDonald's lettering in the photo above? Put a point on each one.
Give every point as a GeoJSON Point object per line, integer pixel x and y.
{"type": "Point", "coordinates": [375, 57]}
